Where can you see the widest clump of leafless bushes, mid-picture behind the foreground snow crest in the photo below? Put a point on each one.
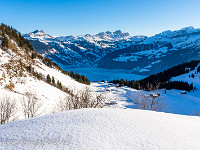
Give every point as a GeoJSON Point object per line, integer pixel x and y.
{"type": "Point", "coordinates": [84, 99]}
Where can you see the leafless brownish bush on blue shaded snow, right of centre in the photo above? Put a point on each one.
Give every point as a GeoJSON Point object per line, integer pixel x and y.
{"type": "Point", "coordinates": [148, 102]}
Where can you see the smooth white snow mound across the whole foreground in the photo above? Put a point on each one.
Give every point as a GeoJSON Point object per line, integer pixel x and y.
{"type": "Point", "coordinates": [105, 129]}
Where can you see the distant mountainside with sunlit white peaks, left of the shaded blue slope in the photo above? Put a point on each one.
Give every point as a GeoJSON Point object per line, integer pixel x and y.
{"type": "Point", "coordinates": [78, 50]}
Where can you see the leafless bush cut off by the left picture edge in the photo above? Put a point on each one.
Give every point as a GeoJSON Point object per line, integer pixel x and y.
{"type": "Point", "coordinates": [8, 109]}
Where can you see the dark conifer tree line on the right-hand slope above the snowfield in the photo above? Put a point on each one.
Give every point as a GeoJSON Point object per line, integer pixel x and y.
{"type": "Point", "coordinates": [161, 80]}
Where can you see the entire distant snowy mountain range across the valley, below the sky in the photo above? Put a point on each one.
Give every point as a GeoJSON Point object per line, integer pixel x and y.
{"type": "Point", "coordinates": [117, 50]}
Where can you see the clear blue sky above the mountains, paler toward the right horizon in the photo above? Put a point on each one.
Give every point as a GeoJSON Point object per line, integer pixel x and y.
{"type": "Point", "coordinates": [78, 17]}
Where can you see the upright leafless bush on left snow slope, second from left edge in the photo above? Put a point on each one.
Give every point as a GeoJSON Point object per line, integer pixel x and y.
{"type": "Point", "coordinates": [30, 105]}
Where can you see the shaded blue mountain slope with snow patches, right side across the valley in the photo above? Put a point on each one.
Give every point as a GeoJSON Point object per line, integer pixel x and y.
{"type": "Point", "coordinates": [156, 53]}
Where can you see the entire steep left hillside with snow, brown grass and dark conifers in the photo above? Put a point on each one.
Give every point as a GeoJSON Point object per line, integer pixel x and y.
{"type": "Point", "coordinates": [24, 76]}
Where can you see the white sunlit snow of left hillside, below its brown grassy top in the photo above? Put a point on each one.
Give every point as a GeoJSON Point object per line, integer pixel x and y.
{"type": "Point", "coordinates": [48, 95]}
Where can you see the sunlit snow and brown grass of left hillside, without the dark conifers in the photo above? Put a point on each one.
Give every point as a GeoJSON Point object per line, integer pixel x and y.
{"type": "Point", "coordinates": [16, 81]}
